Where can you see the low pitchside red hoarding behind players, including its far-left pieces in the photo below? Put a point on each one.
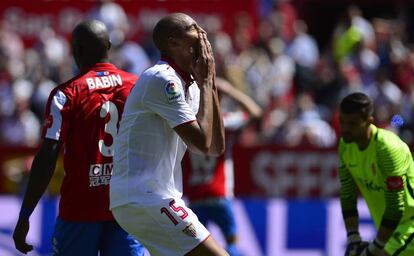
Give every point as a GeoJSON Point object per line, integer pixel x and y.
{"type": "Point", "coordinates": [266, 171]}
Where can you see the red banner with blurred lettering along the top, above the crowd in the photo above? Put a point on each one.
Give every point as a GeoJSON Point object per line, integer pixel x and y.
{"type": "Point", "coordinates": [28, 18]}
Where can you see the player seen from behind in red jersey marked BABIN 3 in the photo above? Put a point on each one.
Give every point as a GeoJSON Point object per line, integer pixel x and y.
{"type": "Point", "coordinates": [82, 115]}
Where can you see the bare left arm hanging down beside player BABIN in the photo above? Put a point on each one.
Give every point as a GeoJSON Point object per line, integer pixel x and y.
{"type": "Point", "coordinates": [40, 174]}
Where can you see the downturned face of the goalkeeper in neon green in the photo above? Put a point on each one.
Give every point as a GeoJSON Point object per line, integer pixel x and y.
{"type": "Point", "coordinates": [353, 127]}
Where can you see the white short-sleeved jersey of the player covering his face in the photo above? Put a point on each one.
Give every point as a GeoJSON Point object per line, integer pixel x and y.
{"type": "Point", "coordinates": [148, 152]}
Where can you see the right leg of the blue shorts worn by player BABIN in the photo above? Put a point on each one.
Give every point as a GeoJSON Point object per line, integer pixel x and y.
{"type": "Point", "coordinates": [116, 241]}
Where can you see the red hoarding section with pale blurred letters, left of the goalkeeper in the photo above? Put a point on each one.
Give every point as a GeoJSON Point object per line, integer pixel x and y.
{"type": "Point", "coordinates": [285, 172]}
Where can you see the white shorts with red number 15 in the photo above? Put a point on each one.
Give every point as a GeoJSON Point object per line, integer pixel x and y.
{"type": "Point", "coordinates": [167, 228]}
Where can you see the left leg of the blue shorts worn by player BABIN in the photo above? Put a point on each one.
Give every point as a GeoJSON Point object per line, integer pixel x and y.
{"type": "Point", "coordinates": [76, 238]}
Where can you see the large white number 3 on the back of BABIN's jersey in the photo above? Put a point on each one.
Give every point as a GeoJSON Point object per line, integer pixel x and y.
{"type": "Point", "coordinates": [110, 127]}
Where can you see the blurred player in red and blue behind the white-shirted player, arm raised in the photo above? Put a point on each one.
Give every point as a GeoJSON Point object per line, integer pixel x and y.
{"type": "Point", "coordinates": [209, 181]}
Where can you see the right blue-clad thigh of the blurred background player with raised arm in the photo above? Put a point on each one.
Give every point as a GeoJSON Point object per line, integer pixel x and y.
{"type": "Point", "coordinates": [223, 215]}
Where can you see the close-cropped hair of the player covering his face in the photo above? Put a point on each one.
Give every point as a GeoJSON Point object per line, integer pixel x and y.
{"type": "Point", "coordinates": [167, 27]}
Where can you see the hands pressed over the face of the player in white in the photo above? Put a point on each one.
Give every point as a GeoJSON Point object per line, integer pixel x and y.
{"type": "Point", "coordinates": [203, 64]}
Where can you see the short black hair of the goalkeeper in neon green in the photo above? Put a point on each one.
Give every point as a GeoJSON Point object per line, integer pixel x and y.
{"type": "Point", "coordinates": [357, 102]}
